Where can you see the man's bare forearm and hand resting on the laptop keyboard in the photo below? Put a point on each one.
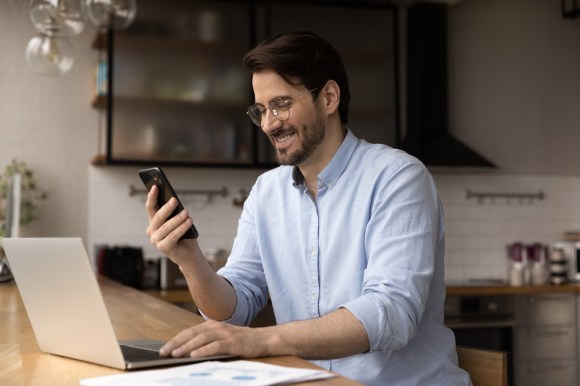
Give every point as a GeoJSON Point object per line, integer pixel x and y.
{"type": "Point", "coordinates": [334, 335]}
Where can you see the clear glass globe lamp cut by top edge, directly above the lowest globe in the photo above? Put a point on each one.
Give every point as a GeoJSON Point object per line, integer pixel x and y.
{"type": "Point", "coordinates": [61, 18]}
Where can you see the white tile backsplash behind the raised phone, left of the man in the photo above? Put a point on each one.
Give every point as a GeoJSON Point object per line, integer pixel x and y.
{"type": "Point", "coordinates": [116, 218]}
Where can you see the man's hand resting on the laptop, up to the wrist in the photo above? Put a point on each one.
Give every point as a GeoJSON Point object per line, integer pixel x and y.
{"type": "Point", "coordinates": [216, 338]}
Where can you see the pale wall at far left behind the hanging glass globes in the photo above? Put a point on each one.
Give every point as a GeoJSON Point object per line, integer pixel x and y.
{"type": "Point", "coordinates": [48, 123]}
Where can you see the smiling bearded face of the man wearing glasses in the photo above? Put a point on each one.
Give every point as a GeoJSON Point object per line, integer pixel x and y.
{"type": "Point", "coordinates": [296, 138]}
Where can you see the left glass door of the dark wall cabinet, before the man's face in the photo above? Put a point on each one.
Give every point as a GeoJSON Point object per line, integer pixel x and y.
{"type": "Point", "coordinates": [179, 92]}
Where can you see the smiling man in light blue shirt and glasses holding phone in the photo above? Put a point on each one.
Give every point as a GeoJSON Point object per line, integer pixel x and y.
{"type": "Point", "coordinates": [347, 239]}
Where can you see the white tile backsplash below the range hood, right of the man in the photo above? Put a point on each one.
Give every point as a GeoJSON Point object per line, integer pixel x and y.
{"type": "Point", "coordinates": [479, 231]}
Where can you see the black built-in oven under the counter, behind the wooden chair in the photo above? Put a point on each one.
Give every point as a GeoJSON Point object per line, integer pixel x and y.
{"type": "Point", "coordinates": [483, 321]}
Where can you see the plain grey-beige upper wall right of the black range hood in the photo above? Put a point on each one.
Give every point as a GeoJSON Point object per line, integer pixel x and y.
{"type": "Point", "coordinates": [514, 74]}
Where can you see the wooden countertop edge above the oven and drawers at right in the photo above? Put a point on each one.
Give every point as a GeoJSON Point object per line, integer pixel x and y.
{"type": "Point", "coordinates": [464, 289]}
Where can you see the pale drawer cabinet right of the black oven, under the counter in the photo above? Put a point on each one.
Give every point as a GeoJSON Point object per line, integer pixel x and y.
{"type": "Point", "coordinates": [545, 340]}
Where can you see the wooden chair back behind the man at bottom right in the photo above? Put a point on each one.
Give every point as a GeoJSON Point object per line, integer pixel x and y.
{"type": "Point", "coordinates": [485, 367]}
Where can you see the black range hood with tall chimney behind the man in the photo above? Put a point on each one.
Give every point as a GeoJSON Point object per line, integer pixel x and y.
{"type": "Point", "coordinates": [427, 135]}
